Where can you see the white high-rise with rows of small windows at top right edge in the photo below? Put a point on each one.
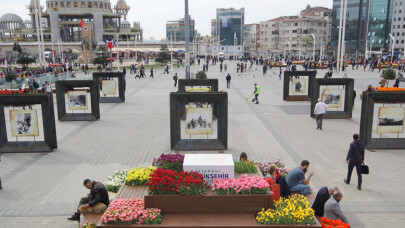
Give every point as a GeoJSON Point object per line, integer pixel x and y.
{"type": "Point", "coordinates": [398, 28]}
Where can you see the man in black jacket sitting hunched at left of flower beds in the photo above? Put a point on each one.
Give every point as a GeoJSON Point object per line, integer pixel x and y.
{"type": "Point", "coordinates": [96, 201]}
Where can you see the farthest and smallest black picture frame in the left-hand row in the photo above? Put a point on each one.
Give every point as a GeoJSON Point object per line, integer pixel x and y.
{"type": "Point", "coordinates": [121, 86]}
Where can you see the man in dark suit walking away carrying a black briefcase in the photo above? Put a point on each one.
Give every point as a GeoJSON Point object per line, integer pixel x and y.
{"type": "Point", "coordinates": [355, 157]}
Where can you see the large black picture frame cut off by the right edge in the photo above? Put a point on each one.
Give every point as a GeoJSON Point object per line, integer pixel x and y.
{"type": "Point", "coordinates": [369, 98]}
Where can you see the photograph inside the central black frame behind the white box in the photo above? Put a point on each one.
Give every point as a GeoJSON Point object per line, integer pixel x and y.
{"type": "Point", "coordinates": [199, 121]}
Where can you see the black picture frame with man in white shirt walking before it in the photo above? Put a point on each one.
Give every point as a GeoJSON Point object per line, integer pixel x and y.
{"type": "Point", "coordinates": [348, 84]}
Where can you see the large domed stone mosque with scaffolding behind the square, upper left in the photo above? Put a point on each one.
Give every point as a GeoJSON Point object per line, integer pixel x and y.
{"type": "Point", "coordinates": [61, 19]}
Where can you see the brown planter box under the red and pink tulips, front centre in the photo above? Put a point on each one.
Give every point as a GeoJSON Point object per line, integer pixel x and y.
{"type": "Point", "coordinates": [209, 203]}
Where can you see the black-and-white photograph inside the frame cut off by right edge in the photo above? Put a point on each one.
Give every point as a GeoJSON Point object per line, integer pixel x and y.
{"type": "Point", "coordinates": [390, 120]}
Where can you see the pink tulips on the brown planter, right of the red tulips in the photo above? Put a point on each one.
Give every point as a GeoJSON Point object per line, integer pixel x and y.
{"type": "Point", "coordinates": [243, 185]}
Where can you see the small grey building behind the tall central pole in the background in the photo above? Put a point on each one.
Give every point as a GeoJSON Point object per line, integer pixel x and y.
{"type": "Point", "coordinates": [176, 30]}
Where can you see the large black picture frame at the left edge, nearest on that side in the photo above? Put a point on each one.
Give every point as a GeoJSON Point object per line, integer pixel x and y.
{"type": "Point", "coordinates": [48, 119]}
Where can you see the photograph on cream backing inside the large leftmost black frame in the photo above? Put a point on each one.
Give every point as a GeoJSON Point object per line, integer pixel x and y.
{"type": "Point", "coordinates": [24, 123]}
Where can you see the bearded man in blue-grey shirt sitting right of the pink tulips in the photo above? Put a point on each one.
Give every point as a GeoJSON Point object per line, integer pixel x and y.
{"type": "Point", "coordinates": [296, 179]}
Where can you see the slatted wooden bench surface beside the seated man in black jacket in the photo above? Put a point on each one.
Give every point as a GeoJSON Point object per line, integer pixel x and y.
{"type": "Point", "coordinates": [125, 192]}
